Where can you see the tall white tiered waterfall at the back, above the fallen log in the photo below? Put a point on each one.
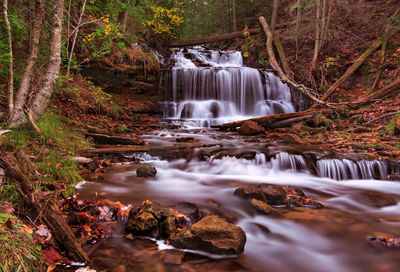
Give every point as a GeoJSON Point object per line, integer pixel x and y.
{"type": "Point", "coordinates": [222, 89]}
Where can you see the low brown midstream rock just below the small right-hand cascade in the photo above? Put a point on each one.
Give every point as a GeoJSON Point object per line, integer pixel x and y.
{"type": "Point", "coordinates": [269, 193]}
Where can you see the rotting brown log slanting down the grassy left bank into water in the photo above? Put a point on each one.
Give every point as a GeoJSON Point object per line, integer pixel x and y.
{"type": "Point", "coordinates": [48, 210]}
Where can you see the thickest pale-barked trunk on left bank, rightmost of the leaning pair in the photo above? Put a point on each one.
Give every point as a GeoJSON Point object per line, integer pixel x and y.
{"type": "Point", "coordinates": [42, 98]}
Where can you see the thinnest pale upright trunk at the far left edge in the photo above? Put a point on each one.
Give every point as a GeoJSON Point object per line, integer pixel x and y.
{"type": "Point", "coordinates": [11, 61]}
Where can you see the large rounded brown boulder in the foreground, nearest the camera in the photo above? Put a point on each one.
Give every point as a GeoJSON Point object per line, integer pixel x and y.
{"type": "Point", "coordinates": [211, 234]}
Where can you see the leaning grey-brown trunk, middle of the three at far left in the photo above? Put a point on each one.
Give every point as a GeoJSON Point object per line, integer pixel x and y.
{"type": "Point", "coordinates": [18, 117]}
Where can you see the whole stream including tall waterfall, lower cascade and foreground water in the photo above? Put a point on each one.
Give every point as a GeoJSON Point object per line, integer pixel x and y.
{"type": "Point", "coordinates": [198, 164]}
